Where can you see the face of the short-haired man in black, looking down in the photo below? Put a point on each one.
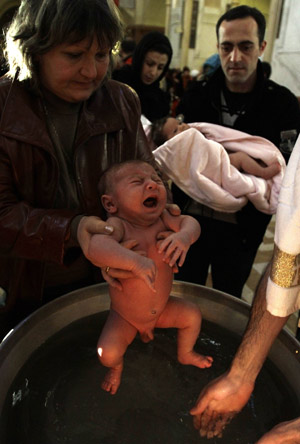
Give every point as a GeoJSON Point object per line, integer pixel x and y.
{"type": "Point", "coordinates": [239, 49]}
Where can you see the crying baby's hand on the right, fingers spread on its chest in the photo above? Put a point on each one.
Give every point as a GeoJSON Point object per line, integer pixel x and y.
{"type": "Point", "coordinates": [175, 247]}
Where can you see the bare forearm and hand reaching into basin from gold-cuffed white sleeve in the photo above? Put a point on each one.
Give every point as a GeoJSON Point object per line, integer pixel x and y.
{"type": "Point", "coordinates": [224, 397]}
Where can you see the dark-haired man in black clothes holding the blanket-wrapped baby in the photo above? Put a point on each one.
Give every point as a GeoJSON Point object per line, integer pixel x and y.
{"type": "Point", "coordinates": [237, 96]}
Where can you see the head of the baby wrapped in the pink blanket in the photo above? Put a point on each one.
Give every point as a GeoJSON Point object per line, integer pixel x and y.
{"type": "Point", "coordinates": [166, 128]}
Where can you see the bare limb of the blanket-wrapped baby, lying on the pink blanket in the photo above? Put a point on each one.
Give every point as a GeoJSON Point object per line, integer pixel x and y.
{"type": "Point", "coordinates": [243, 162]}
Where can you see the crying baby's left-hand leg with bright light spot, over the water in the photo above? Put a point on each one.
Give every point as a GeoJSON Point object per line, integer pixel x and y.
{"type": "Point", "coordinates": [115, 337]}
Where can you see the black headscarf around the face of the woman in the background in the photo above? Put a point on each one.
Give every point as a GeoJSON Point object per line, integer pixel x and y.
{"type": "Point", "coordinates": [155, 102]}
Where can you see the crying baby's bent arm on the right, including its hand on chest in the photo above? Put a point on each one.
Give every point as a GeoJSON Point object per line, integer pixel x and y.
{"type": "Point", "coordinates": [186, 232]}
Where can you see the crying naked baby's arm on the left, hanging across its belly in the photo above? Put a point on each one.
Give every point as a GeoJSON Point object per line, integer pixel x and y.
{"type": "Point", "coordinates": [110, 253]}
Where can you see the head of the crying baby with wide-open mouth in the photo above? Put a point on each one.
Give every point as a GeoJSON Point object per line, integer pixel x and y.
{"type": "Point", "coordinates": [134, 191]}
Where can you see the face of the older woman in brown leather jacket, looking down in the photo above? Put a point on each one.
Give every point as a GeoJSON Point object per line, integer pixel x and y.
{"type": "Point", "coordinates": [74, 71]}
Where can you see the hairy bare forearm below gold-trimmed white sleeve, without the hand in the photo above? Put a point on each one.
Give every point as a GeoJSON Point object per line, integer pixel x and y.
{"type": "Point", "coordinates": [261, 331]}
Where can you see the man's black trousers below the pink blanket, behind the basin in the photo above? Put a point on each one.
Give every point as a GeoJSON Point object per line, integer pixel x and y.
{"type": "Point", "coordinates": [229, 249]}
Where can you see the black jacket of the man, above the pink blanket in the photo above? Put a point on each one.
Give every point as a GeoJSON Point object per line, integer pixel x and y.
{"type": "Point", "coordinates": [272, 108]}
